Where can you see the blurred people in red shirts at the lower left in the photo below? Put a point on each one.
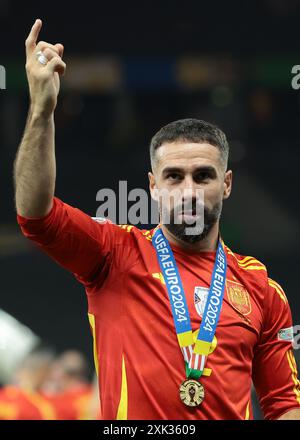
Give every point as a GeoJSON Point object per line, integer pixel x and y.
{"type": "Point", "coordinates": [46, 386]}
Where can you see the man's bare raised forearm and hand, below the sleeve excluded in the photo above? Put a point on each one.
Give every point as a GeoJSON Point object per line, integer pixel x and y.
{"type": "Point", "coordinates": [35, 169]}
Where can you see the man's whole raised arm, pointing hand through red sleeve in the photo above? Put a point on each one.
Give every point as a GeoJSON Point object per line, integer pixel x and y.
{"type": "Point", "coordinates": [72, 238]}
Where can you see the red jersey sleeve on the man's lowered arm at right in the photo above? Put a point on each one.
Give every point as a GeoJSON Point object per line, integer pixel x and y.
{"type": "Point", "coordinates": [274, 368]}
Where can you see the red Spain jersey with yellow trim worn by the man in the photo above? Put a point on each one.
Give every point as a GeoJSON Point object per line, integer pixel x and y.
{"type": "Point", "coordinates": [138, 359]}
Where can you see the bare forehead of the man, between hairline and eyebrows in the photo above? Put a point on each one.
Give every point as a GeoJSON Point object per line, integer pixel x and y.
{"type": "Point", "coordinates": [186, 153]}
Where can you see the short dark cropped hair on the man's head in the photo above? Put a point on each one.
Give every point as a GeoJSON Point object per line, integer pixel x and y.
{"type": "Point", "coordinates": [190, 130]}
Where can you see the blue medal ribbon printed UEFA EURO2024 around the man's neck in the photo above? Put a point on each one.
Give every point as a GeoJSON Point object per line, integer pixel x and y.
{"type": "Point", "coordinates": [195, 355]}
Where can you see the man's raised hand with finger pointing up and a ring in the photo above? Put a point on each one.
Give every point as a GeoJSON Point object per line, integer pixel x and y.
{"type": "Point", "coordinates": [43, 80]}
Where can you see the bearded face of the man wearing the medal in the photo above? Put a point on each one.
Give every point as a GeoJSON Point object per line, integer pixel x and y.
{"type": "Point", "coordinates": [195, 173]}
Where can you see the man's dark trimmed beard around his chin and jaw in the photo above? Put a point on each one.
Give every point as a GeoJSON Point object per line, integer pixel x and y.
{"type": "Point", "coordinates": [211, 216]}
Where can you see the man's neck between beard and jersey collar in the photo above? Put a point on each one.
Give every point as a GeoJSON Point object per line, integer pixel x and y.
{"type": "Point", "coordinates": [208, 244]}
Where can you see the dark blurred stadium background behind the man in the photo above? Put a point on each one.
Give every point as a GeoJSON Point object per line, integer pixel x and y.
{"type": "Point", "coordinates": [133, 67]}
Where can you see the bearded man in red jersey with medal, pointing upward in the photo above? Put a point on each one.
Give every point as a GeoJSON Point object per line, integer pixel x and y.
{"type": "Point", "coordinates": [155, 357]}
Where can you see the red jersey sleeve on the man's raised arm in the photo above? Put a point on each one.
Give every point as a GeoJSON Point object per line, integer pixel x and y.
{"type": "Point", "coordinates": [73, 239]}
